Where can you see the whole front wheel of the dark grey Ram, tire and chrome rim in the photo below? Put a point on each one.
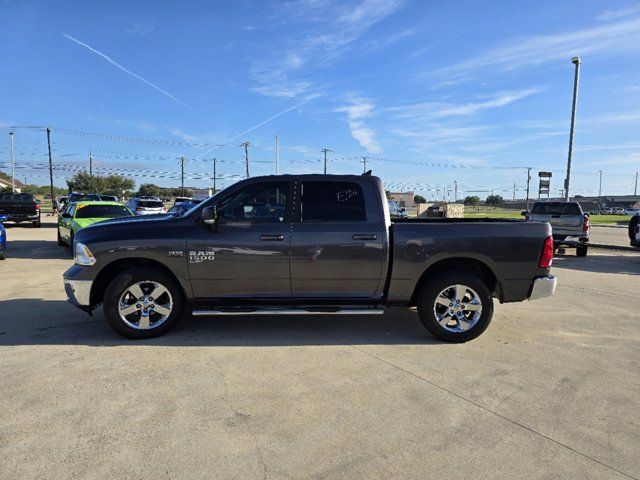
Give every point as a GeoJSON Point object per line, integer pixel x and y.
{"type": "Point", "coordinates": [142, 303]}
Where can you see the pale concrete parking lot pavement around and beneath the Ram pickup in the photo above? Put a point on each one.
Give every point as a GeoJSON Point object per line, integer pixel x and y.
{"type": "Point", "coordinates": [549, 391]}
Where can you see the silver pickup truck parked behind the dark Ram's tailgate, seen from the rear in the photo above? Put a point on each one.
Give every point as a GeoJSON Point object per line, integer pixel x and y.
{"type": "Point", "coordinates": [569, 224]}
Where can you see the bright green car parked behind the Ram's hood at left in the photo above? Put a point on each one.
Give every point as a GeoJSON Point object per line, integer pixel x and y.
{"type": "Point", "coordinates": [82, 214]}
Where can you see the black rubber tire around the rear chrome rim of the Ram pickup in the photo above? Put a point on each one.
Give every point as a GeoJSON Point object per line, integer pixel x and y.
{"type": "Point", "coordinates": [426, 301]}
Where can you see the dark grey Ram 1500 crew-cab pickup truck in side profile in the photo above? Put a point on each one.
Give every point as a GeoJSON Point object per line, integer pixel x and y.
{"type": "Point", "coordinates": [306, 245]}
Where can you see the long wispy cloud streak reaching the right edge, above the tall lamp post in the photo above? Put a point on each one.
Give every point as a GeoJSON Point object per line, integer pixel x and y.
{"type": "Point", "coordinates": [620, 37]}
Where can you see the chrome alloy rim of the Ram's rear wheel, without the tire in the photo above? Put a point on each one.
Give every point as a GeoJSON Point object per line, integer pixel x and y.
{"type": "Point", "coordinates": [457, 308]}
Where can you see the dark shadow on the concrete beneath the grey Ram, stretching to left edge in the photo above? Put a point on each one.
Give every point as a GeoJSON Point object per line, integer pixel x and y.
{"type": "Point", "coordinates": [47, 322]}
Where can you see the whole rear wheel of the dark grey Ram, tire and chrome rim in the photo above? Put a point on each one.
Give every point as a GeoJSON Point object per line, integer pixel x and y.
{"type": "Point", "coordinates": [455, 306]}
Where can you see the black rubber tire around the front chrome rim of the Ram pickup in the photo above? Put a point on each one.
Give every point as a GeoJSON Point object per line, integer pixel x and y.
{"type": "Point", "coordinates": [126, 279]}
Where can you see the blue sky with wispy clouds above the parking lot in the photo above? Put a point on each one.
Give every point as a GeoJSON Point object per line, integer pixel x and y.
{"type": "Point", "coordinates": [431, 92]}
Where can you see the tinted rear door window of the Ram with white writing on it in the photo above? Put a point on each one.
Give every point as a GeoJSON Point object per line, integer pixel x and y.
{"type": "Point", "coordinates": [332, 202]}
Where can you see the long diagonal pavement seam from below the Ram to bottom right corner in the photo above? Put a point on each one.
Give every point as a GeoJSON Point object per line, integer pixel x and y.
{"type": "Point", "coordinates": [478, 405]}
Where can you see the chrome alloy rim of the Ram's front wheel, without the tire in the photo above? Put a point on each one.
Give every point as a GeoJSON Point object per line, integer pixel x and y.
{"type": "Point", "coordinates": [145, 305]}
